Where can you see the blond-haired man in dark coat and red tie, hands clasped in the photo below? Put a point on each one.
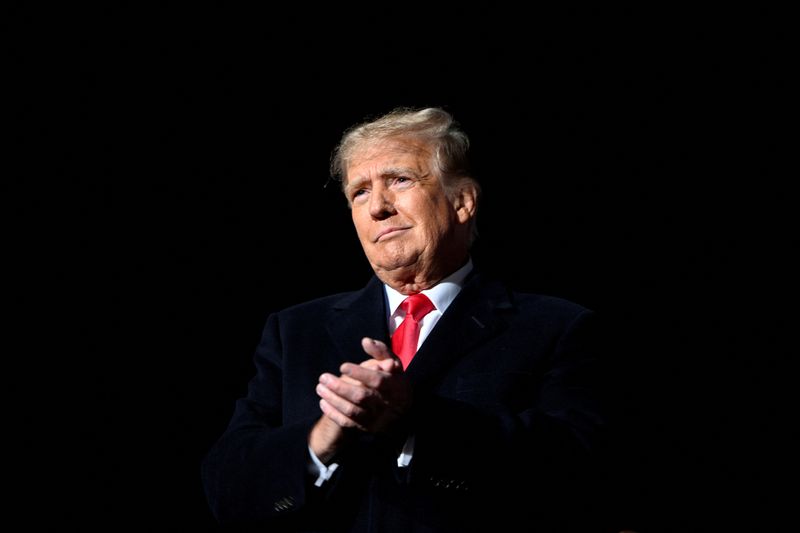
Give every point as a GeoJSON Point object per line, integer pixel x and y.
{"type": "Point", "coordinates": [493, 424]}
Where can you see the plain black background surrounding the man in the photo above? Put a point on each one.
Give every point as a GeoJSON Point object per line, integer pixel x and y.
{"type": "Point", "coordinates": [168, 191]}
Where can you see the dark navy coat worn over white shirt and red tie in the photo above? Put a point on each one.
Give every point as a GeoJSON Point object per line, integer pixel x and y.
{"type": "Point", "coordinates": [507, 421]}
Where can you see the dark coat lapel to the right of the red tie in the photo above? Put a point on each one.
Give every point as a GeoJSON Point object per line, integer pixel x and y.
{"type": "Point", "coordinates": [474, 317]}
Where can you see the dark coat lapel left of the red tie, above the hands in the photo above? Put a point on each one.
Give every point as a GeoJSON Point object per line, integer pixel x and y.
{"type": "Point", "coordinates": [358, 315]}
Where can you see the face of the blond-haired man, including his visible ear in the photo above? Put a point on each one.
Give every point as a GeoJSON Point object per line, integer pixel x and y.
{"type": "Point", "coordinates": [402, 215]}
